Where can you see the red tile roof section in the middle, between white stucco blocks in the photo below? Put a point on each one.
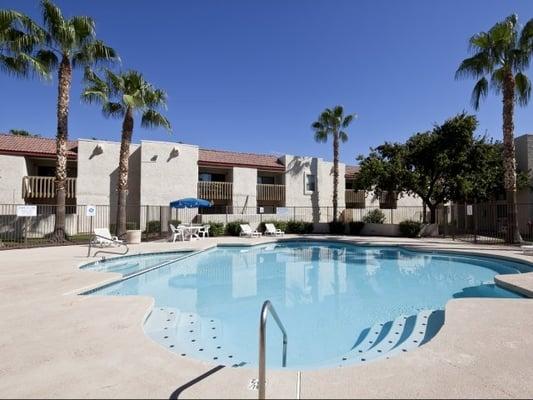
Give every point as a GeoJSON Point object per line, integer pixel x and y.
{"type": "Point", "coordinates": [231, 158]}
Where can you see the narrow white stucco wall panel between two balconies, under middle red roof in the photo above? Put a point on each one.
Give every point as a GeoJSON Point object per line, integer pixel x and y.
{"type": "Point", "coordinates": [244, 190]}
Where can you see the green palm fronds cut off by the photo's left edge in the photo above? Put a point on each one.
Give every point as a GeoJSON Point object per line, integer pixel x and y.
{"type": "Point", "coordinates": [20, 36]}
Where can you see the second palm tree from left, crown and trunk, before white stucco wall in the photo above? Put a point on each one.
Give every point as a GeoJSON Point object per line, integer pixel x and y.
{"type": "Point", "coordinates": [121, 96]}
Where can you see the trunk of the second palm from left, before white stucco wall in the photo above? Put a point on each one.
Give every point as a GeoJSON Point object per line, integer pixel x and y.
{"type": "Point", "coordinates": [122, 184]}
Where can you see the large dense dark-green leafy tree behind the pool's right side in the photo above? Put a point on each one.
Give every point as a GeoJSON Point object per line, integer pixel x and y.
{"type": "Point", "coordinates": [428, 165]}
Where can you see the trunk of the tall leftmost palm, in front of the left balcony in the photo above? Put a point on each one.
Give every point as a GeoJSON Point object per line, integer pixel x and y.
{"type": "Point", "coordinates": [64, 78]}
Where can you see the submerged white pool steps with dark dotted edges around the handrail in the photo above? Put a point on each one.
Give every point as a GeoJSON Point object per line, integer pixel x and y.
{"type": "Point", "coordinates": [187, 333]}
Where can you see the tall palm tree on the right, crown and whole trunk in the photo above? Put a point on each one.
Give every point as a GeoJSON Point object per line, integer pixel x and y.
{"type": "Point", "coordinates": [502, 54]}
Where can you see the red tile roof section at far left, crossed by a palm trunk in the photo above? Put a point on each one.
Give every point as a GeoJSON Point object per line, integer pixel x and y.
{"type": "Point", "coordinates": [35, 146]}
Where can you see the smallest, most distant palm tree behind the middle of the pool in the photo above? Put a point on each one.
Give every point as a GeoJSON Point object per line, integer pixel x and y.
{"type": "Point", "coordinates": [331, 123]}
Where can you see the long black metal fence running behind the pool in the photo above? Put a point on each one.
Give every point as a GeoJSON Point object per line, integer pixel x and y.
{"type": "Point", "coordinates": [479, 223]}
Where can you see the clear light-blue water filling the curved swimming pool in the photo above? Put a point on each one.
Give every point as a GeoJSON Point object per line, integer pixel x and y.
{"type": "Point", "coordinates": [340, 304]}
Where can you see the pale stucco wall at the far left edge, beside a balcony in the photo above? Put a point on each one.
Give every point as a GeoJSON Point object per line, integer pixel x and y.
{"type": "Point", "coordinates": [12, 169]}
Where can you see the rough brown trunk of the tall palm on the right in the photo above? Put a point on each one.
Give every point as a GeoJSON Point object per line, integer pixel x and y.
{"type": "Point", "coordinates": [509, 162]}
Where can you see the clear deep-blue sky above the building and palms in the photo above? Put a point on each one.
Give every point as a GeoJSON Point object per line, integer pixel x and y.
{"type": "Point", "coordinates": [253, 75]}
